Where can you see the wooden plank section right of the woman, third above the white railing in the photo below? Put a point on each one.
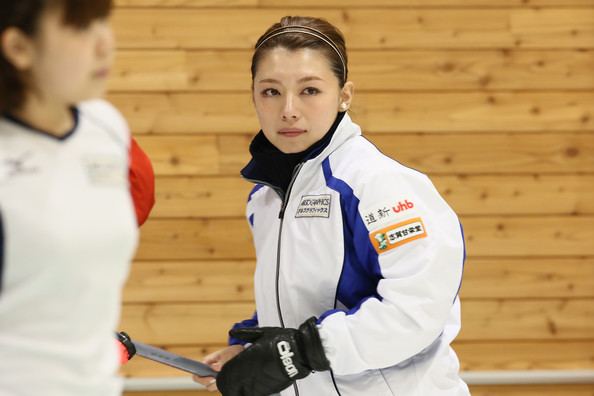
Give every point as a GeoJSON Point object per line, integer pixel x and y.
{"type": "Point", "coordinates": [527, 278]}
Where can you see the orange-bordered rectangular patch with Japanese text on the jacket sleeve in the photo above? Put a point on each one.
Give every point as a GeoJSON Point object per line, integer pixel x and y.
{"type": "Point", "coordinates": [398, 234]}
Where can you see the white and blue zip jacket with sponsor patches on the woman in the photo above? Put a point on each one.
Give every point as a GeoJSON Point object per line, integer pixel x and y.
{"type": "Point", "coordinates": [369, 247]}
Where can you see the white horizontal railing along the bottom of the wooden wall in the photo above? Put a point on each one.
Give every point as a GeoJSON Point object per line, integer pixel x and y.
{"type": "Point", "coordinates": [471, 378]}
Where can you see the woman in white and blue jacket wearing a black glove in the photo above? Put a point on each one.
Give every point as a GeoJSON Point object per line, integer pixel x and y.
{"type": "Point", "coordinates": [359, 259]}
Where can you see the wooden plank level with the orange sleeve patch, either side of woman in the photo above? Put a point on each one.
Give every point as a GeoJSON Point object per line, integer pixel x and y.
{"type": "Point", "coordinates": [493, 236]}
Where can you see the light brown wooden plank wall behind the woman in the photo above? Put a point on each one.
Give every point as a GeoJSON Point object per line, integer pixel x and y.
{"type": "Point", "coordinates": [494, 99]}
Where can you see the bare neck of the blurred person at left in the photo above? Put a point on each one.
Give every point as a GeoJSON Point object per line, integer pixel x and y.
{"type": "Point", "coordinates": [53, 118]}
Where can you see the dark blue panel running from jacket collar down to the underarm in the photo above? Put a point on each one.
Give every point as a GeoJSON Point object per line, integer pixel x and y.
{"type": "Point", "coordinates": [361, 270]}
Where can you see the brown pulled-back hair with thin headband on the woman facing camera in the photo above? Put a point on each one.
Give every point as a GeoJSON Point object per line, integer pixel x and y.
{"type": "Point", "coordinates": [294, 40]}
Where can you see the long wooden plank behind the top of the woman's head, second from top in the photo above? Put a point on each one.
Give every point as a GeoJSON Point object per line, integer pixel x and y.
{"type": "Point", "coordinates": [363, 28]}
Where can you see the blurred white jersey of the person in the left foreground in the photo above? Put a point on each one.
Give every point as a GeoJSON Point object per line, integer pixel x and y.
{"type": "Point", "coordinates": [68, 234]}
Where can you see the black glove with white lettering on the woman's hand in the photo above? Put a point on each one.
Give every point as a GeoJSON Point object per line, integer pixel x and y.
{"type": "Point", "coordinates": [277, 358]}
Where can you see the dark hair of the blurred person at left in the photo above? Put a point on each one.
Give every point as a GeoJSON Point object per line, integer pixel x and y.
{"type": "Point", "coordinates": [25, 15]}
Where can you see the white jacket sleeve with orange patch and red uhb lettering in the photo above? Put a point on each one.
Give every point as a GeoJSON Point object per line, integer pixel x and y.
{"type": "Point", "coordinates": [406, 236]}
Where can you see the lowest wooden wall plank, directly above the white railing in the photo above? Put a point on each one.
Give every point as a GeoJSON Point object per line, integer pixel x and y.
{"type": "Point", "coordinates": [474, 356]}
